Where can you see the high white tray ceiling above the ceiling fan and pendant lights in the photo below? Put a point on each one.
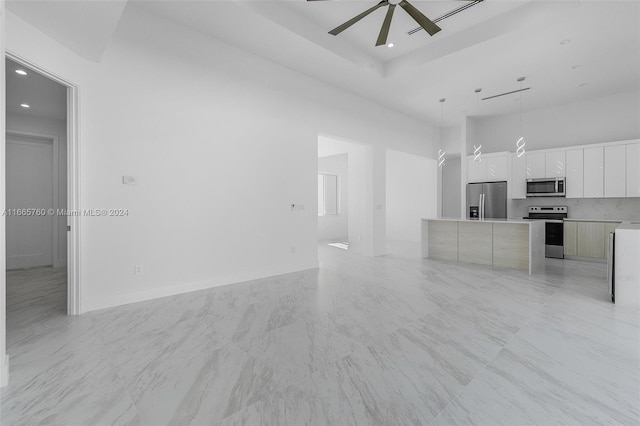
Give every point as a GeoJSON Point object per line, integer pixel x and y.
{"type": "Point", "coordinates": [487, 46]}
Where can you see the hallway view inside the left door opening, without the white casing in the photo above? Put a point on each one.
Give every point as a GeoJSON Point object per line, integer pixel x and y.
{"type": "Point", "coordinates": [36, 196]}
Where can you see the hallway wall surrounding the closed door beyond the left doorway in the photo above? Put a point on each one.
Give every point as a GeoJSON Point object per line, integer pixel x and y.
{"type": "Point", "coordinates": [49, 127]}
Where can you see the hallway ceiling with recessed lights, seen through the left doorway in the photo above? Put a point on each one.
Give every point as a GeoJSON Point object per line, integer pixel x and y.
{"type": "Point", "coordinates": [45, 97]}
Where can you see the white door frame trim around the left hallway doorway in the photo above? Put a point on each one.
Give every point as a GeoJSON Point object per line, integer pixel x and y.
{"type": "Point", "coordinates": [74, 305]}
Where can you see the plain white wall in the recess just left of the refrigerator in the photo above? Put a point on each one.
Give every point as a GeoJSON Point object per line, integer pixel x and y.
{"type": "Point", "coordinates": [411, 194]}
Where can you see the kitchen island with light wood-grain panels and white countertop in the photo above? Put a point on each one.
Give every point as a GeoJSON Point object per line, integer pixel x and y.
{"type": "Point", "coordinates": [505, 243]}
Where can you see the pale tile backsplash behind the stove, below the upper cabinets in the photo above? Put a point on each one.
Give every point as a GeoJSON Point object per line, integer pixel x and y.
{"type": "Point", "coordinates": [583, 208]}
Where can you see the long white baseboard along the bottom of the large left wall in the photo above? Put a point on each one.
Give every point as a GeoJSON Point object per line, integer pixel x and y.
{"type": "Point", "coordinates": [179, 288]}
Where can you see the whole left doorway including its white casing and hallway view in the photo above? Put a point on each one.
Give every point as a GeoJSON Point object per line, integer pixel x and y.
{"type": "Point", "coordinates": [41, 188]}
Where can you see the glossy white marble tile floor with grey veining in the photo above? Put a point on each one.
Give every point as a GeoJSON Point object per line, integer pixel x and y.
{"type": "Point", "coordinates": [374, 341]}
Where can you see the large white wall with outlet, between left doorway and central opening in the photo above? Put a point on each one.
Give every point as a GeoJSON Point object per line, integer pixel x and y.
{"type": "Point", "coordinates": [222, 142]}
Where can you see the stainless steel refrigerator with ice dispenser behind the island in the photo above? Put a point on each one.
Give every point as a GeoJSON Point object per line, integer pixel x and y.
{"type": "Point", "coordinates": [487, 200]}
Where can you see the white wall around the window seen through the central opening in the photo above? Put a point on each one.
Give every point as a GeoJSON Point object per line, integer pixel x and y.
{"type": "Point", "coordinates": [335, 227]}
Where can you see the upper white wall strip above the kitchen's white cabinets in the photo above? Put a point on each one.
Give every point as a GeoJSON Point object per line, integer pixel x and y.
{"type": "Point", "coordinates": [606, 119]}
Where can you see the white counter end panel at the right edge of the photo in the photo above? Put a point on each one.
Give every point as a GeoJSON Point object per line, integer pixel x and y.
{"type": "Point", "coordinates": [627, 267]}
